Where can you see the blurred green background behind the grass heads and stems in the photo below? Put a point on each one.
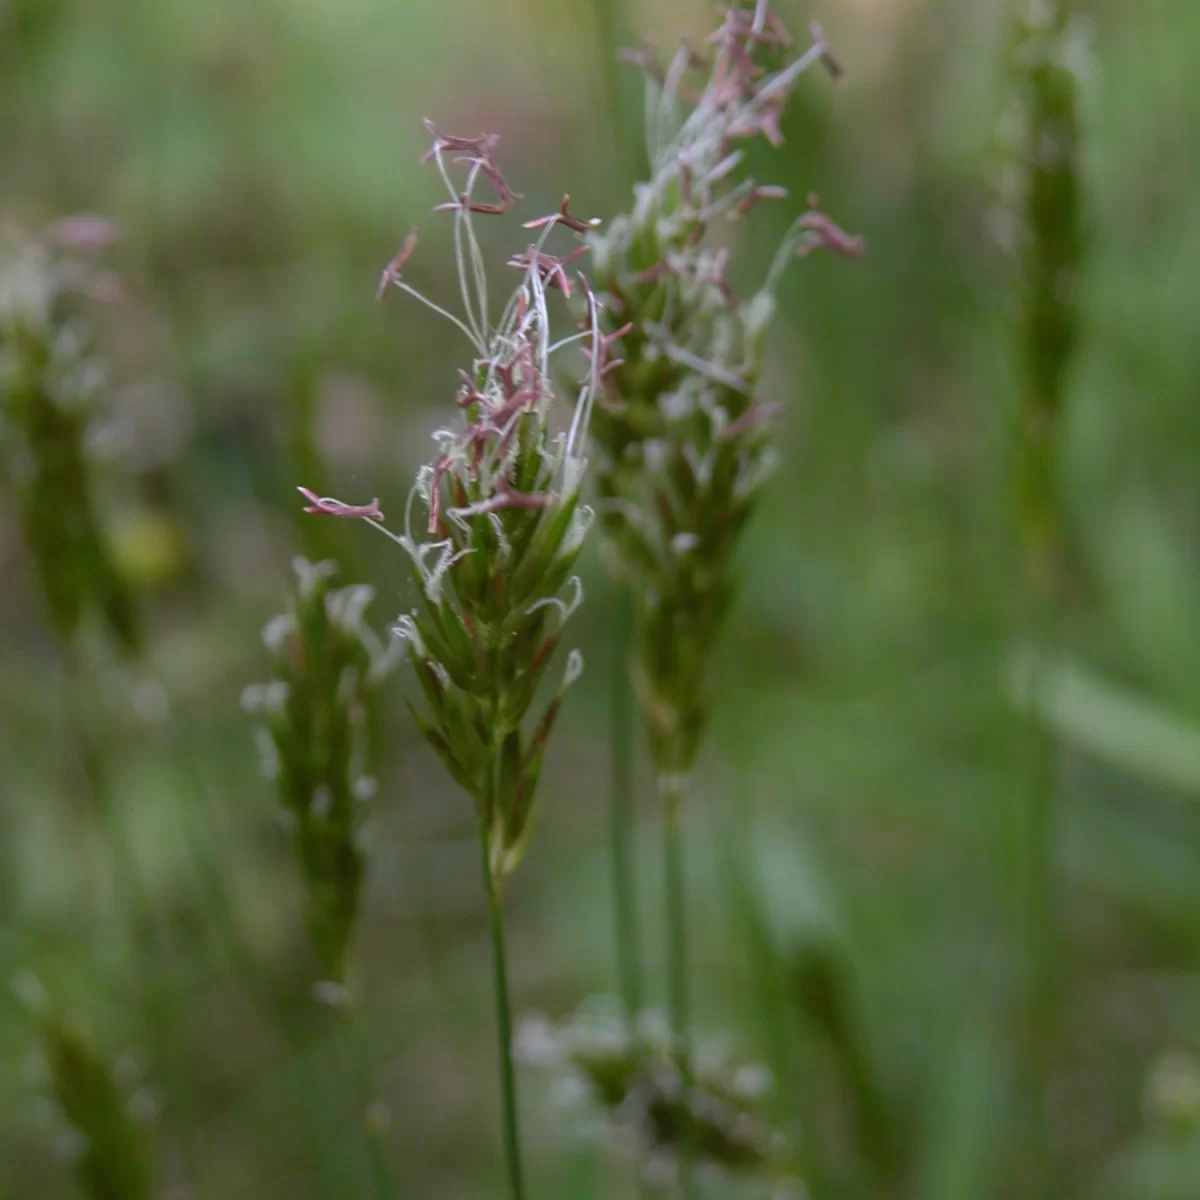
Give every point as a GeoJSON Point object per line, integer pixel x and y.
{"type": "Point", "coordinates": [262, 159]}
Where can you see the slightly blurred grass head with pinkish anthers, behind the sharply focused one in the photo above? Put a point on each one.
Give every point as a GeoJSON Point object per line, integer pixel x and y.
{"type": "Point", "coordinates": [682, 433]}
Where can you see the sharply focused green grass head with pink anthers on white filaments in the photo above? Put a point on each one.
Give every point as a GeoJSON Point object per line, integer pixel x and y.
{"type": "Point", "coordinates": [495, 523]}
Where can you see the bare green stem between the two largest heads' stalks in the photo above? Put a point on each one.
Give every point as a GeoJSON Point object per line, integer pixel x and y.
{"type": "Point", "coordinates": [621, 814]}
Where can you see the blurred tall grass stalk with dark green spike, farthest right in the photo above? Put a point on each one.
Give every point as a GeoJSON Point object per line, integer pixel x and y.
{"type": "Point", "coordinates": [1046, 235]}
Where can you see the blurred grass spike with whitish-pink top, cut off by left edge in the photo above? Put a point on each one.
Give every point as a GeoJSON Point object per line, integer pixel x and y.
{"type": "Point", "coordinates": [51, 388]}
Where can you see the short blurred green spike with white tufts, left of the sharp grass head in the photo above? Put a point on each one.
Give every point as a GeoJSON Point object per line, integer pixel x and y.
{"type": "Point", "coordinates": [317, 745]}
